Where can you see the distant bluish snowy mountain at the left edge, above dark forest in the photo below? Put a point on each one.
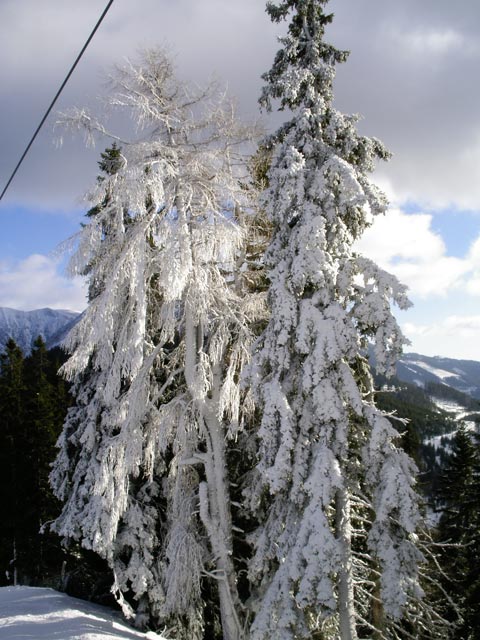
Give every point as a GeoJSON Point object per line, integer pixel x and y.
{"type": "Point", "coordinates": [25, 326]}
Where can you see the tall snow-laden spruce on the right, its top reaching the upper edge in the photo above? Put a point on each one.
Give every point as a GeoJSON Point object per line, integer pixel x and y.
{"type": "Point", "coordinates": [336, 554]}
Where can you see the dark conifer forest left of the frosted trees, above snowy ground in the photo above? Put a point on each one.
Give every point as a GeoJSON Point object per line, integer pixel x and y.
{"type": "Point", "coordinates": [34, 401]}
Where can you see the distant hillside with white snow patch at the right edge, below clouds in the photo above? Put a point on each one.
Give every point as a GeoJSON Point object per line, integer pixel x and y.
{"type": "Point", "coordinates": [463, 375]}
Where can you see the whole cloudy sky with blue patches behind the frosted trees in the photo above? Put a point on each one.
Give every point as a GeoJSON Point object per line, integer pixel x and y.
{"type": "Point", "coordinates": [412, 75]}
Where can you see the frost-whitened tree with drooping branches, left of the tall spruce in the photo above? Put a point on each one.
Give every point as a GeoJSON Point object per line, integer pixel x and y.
{"type": "Point", "coordinates": [156, 357]}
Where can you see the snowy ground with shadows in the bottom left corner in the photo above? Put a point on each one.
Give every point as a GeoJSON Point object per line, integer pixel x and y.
{"type": "Point", "coordinates": [45, 614]}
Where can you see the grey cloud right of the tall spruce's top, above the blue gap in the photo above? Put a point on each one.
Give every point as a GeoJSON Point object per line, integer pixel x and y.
{"type": "Point", "coordinates": [424, 105]}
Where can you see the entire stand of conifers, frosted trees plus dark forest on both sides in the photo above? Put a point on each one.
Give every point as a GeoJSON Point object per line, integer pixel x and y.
{"type": "Point", "coordinates": [215, 449]}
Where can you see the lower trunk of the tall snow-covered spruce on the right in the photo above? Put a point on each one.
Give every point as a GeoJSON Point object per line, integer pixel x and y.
{"type": "Point", "coordinates": [346, 603]}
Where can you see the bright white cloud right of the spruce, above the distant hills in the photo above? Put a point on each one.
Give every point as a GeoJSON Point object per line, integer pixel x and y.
{"type": "Point", "coordinates": [445, 290]}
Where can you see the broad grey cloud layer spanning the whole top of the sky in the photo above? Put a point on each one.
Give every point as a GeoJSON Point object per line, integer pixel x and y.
{"type": "Point", "coordinates": [425, 107]}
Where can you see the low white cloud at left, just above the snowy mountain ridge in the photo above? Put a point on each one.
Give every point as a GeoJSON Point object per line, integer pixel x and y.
{"type": "Point", "coordinates": [37, 282]}
